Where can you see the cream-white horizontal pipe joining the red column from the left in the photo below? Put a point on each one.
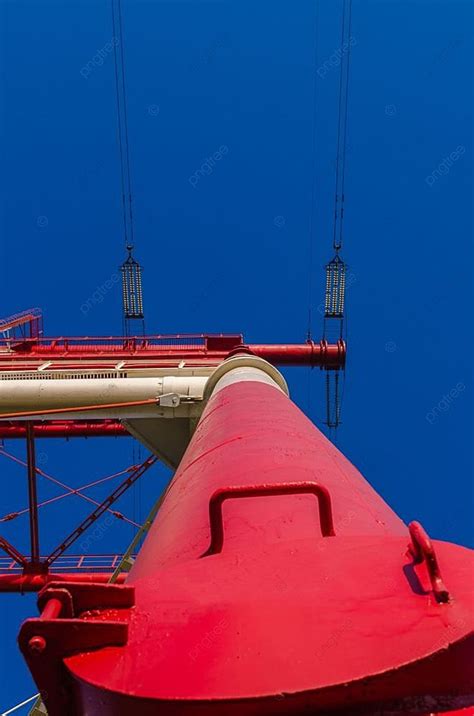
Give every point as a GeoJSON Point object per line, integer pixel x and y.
{"type": "Point", "coordinates": [28, 395]}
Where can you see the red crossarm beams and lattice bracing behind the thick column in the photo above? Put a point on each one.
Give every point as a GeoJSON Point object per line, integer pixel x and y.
{"type": "Point", "coordinates": [24, 350]}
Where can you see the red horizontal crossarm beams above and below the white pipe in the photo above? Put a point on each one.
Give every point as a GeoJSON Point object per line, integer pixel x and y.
{"type": "Point", "coordinates": [105, 353]}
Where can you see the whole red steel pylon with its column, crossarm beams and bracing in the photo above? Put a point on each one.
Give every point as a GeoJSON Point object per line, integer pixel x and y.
{"type": "Point", "coordinates": [273, 580]}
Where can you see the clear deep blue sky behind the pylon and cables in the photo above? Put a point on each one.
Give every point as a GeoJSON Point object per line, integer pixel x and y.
{"type": "Point", "coordinates": [231, 253]}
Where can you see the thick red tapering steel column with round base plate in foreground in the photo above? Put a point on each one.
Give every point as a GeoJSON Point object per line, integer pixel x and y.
{"type": "Point", "coordinates": [283, 618]}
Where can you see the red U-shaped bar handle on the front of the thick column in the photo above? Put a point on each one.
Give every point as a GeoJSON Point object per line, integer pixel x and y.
{"type": "Point", "coordinates": [275, 489]}
